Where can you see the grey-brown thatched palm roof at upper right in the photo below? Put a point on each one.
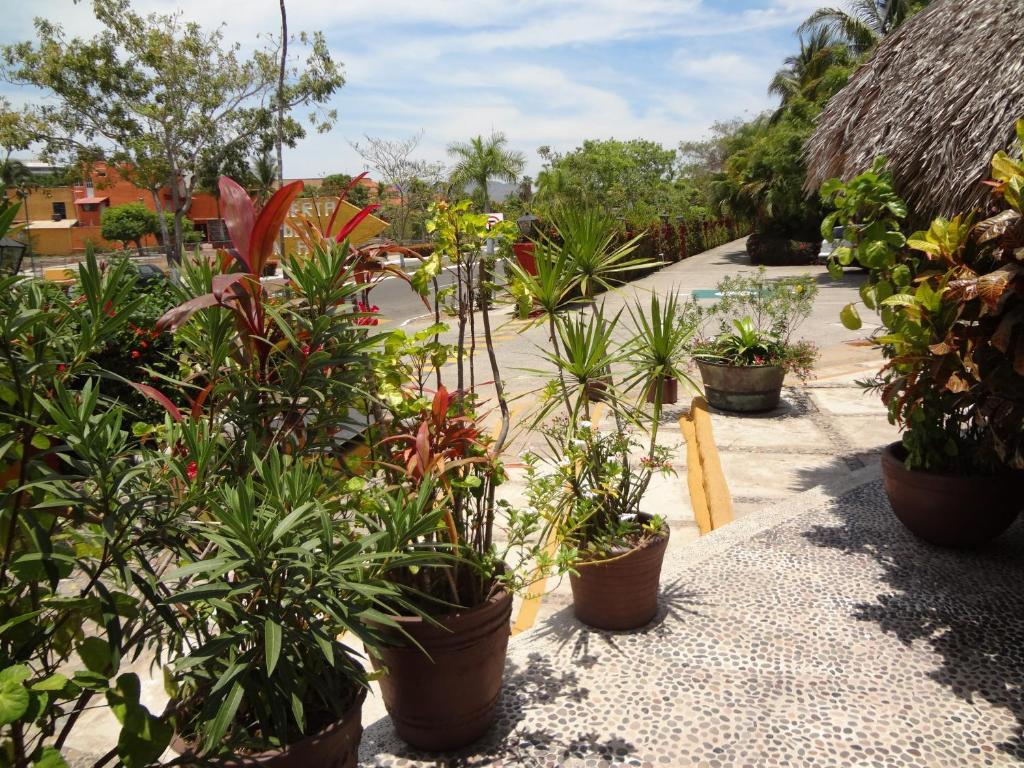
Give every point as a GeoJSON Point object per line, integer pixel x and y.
{"type": "Point", "coordinates": [938, 98]}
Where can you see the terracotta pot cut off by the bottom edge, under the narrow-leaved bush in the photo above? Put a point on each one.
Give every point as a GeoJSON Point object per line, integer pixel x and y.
{"type": "Point", "coordinates": [337, 746]}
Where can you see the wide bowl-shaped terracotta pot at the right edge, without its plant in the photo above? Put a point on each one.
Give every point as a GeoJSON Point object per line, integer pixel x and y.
{"type": "Point", "coordinates": [951, 510]}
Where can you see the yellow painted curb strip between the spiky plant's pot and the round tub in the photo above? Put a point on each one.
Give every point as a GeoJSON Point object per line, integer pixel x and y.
{"type": "Point", "coordinates": [709, 491]}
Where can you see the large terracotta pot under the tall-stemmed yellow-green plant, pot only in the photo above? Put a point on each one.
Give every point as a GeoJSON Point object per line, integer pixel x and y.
{"type": "Point", "coordinates": [448, 701]}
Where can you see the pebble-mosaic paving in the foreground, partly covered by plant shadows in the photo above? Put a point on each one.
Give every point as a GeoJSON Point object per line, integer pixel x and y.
{"type": "Point", "coordinates": [826, 638]}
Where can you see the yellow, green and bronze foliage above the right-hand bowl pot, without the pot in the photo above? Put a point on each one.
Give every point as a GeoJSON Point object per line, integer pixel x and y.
{"type": "Point", "coordinates": [950, 300]}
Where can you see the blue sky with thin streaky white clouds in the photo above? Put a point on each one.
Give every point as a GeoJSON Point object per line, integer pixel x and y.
{"type": "Point", "coordinates": [543, 72]}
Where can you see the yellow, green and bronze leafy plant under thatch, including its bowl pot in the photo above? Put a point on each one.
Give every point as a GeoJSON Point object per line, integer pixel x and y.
{"type": "Point", "coordinates": [950, 300]}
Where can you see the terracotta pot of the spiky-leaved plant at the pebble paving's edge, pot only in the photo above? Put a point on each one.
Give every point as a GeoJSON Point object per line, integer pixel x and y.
{"type": "Point", "coordinates": [620, 593]}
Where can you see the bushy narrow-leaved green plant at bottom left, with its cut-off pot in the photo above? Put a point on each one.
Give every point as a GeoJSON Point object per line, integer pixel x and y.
{"type": "Point", "coordinates": [279, 575]}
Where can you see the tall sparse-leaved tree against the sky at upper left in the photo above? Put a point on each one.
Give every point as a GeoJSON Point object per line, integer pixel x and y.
{"type": "Point", "coordinates": [165, 96]}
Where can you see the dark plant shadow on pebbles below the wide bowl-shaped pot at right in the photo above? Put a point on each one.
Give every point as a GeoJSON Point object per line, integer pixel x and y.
{"type": "Point", "coordinates": [968, 607]}
